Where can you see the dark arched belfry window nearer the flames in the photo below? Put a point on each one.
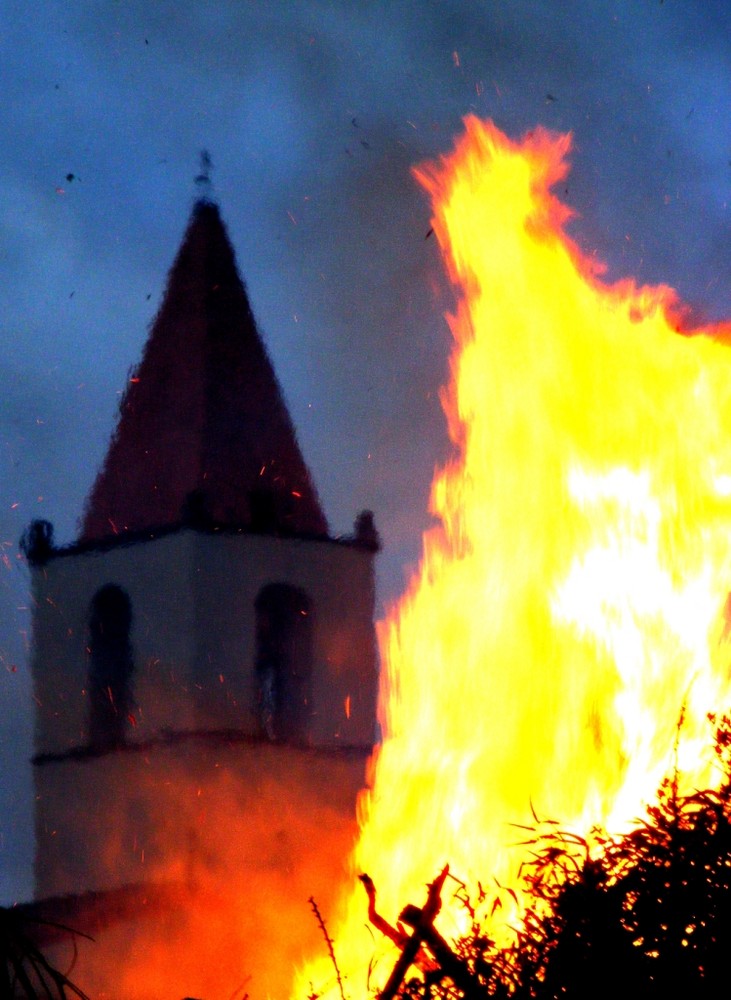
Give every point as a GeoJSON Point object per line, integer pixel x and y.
{"type": "Point", "coordinates": [283, 661]}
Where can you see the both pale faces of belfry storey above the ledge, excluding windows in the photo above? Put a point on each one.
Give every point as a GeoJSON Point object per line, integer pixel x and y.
{"type": "Point", "coordinates": [193, 635]}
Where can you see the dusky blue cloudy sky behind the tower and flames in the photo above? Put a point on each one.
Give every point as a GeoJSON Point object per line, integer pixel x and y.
{"type": "Point", "coordinates": [313, 113]}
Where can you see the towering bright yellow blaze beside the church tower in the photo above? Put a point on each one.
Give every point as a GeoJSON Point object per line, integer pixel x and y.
{"type": "Point", "coordinates": [570, 604]}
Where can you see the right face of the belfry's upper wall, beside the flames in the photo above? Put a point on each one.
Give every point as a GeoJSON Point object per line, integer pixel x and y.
{"type": "Point", "coordinates": [229, 572]}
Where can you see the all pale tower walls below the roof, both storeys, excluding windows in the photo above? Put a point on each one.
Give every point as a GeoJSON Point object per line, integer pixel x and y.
{"type": "Point", "coordinates": [106, 817]}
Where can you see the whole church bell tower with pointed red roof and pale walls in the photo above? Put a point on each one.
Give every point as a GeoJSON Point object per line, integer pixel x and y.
{"type": "Point", "coordinates": [205, 636]}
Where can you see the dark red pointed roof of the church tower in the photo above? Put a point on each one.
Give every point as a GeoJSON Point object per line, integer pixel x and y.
{"type": "Point", "coordinates": [203, 431]}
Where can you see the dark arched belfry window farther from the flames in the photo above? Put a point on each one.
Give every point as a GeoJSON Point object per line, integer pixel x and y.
{"type": "Point", "coordinates": [110, 668]}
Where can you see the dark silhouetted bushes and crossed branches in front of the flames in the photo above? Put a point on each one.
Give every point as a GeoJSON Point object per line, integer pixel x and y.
{"type": "Point", "coordinates": [644, 914]}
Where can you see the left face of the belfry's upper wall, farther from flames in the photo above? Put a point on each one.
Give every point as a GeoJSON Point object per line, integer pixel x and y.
{"type": "Point", "coordinates": [155, 574]}
